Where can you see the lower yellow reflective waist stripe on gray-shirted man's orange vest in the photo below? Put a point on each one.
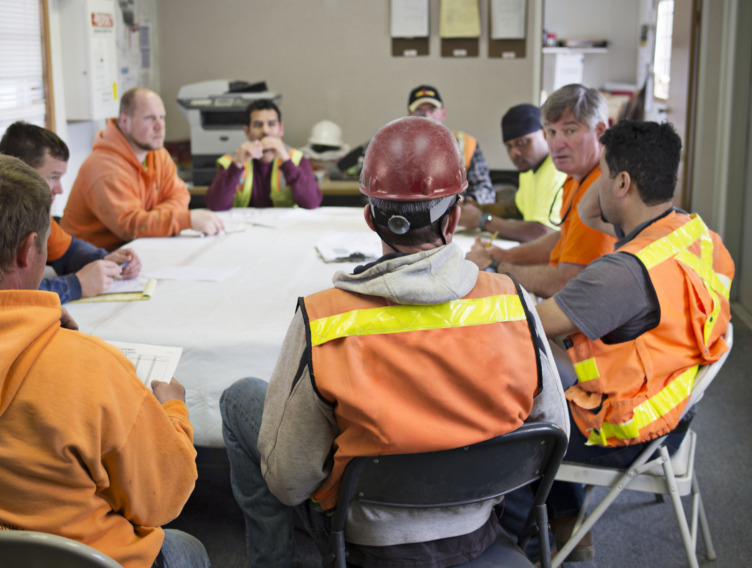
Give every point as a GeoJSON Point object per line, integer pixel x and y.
{"type": "Point", "coordinates": [649, 411]}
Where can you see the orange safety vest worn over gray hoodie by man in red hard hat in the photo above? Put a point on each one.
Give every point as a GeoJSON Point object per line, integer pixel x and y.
{"type": "Point", "coordinates": [414, 378]}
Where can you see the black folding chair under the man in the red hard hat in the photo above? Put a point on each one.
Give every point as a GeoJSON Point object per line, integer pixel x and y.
{"type": "Point", "coordinates": [458, 477]}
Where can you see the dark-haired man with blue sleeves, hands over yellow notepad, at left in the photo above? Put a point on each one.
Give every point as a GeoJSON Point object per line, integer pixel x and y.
{"type": "Point", "coordinates": [82, 269]}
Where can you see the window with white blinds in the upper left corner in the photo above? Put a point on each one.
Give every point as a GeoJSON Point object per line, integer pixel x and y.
{"type": "Point", "coordinates": [22, 76]}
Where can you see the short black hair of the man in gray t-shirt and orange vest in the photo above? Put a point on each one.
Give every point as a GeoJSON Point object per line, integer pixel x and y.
{"type": "Point", "coordinates": [649, 152]}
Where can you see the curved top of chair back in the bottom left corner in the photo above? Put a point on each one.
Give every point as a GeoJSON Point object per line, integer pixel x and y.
{"type": "Point", "coordinates": [29, 549]}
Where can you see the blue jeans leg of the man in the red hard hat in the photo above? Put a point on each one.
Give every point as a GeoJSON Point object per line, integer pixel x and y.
{"type": "Point", "coordinates": [269, 523]}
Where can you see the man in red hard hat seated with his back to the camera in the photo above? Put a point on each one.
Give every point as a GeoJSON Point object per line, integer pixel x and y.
{"type": "Point", "coordinates": [361, 389]}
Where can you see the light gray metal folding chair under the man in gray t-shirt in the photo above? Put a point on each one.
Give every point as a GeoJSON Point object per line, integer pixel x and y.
{"type": "Point", "coordinates": [661, 475]}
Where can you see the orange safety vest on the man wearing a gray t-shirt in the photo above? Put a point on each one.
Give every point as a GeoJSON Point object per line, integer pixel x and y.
{"type": "Point", "coordinates": [635, 391]}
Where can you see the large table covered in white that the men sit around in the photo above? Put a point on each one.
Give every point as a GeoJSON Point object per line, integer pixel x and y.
{"type": "Point", "coordinates": [233, 328]}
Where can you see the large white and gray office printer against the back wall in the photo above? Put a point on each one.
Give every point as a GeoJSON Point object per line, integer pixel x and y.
{"type": "Point", "coordinates": [215, 111]}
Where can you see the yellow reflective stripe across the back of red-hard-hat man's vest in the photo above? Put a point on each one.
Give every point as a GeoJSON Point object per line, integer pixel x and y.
{"type": "Point", "coordinates": [403, 318]}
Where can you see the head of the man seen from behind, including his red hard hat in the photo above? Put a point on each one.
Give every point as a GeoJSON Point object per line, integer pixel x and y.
{"type": "Point", "coordinates": [413, 173]}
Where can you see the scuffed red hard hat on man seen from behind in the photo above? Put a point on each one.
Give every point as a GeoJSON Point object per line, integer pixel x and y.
{"type": "Point", "coordinates": [413, 159]}
